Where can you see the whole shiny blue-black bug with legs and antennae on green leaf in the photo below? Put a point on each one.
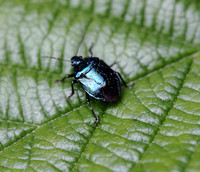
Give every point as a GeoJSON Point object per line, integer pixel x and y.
{"type": "Point", "coordinates": [96, 77]}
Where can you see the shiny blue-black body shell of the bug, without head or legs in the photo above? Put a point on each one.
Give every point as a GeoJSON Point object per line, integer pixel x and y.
{"type": "Point", "coordinates": [98, 79]}
